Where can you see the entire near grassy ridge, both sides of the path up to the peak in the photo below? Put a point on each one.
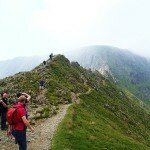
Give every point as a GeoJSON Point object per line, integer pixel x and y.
{"type": "Point", "coordinates": [105, 117]}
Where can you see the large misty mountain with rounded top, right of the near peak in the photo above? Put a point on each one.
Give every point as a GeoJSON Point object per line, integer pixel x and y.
{"type": "Point", "coordinates": [123, 67]}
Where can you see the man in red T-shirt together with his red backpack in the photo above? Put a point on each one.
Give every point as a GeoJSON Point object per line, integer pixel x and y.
{"type": "Point", "coordinates": [17, 120]}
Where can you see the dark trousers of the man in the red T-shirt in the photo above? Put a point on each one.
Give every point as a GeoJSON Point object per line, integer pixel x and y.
{"type": "Point", "coordinates": [20, 137]}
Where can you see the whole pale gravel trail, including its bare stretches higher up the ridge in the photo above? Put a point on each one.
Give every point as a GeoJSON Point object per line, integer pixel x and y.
{"type": "Point", "coordinates": [44, 129]}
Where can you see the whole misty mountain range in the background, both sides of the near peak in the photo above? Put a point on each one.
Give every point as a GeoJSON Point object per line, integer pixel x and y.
{"type": "Point", "coordinates": [124, 68]}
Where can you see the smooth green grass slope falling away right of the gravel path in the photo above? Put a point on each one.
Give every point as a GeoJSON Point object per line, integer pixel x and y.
{"type": "Point", "coordinates": [106, 118]}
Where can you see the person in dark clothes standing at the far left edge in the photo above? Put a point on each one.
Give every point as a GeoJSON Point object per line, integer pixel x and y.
{"type": "Point", "coordinates": [3, 109]}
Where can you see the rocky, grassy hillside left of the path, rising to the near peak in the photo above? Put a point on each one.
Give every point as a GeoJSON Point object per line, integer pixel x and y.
{"type": "Point", "coordinates": [62, 80]}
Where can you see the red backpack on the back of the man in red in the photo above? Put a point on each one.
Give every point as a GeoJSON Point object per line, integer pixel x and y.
{"type": "Point", "coordinates": [10, 115]}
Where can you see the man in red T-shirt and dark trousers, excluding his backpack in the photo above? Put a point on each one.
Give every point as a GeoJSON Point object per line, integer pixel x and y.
{"type": "Point", "coordinates": [19, 128]}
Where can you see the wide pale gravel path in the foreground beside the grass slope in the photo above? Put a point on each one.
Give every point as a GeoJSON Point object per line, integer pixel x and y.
{"type": "Point", "coordinates": [41, 139]}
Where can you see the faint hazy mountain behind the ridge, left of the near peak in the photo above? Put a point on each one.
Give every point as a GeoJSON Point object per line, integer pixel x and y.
{"type": "Point", "coordinates": [12, 66]}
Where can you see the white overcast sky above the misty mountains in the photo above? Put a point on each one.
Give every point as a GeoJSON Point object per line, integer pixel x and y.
{"type": "Point", "coordinates": [33, 27]}
